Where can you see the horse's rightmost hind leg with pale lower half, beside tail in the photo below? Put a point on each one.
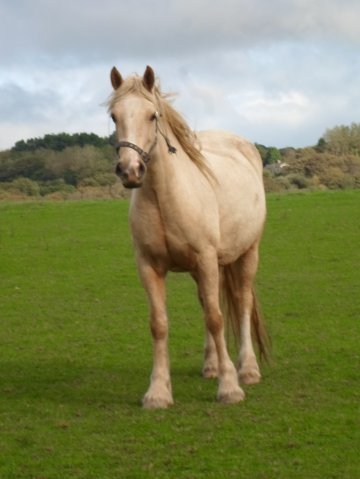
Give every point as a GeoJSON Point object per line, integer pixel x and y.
{"type": "Point", "coordinates": [245, 269]}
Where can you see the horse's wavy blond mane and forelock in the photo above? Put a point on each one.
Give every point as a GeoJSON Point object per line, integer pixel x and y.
{"type": "Point", "coordinates": [183, 133]}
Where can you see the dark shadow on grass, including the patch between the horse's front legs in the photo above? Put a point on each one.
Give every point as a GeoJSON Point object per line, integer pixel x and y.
{"type": "Point", "coordinates": [69, 382]}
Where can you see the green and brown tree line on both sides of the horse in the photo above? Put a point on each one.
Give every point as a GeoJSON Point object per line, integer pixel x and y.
{"type": "Point", "coordinates": [67, 163]}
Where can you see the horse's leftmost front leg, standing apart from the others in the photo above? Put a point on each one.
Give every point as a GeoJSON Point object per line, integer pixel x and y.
{"type": "Point", "coordinates": [159, 394]}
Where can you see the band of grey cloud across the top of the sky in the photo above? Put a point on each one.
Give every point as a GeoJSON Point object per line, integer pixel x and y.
{"type": "Point", "coordinates": [88, 31]}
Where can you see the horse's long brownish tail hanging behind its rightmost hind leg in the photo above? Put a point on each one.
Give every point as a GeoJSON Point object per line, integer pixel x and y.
{"type": "Point", "coordinates": [230, 288]}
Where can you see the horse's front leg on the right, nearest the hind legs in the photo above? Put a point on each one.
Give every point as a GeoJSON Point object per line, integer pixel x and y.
{"type": "Point", "coordinates": [208, 281]}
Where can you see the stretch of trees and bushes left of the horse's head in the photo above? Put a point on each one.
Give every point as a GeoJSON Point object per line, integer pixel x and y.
{"type": "Point", "coordinates": [57, 163]}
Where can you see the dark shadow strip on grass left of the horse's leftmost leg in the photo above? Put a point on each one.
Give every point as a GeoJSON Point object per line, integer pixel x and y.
{"type": "Point", "coordinates": [65, 382]}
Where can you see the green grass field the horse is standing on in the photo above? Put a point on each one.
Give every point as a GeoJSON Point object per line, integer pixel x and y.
{"type": "Point", "coordinates": [75, 352]}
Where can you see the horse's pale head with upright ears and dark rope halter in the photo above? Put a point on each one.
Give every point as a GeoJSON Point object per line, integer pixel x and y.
{"type": "Point", "coordinates": [135, 116]}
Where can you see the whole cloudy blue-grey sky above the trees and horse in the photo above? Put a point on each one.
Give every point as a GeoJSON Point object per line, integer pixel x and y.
{"type": "Point", "coordinates": [279, 72]}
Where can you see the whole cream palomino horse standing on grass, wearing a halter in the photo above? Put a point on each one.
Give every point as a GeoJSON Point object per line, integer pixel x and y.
{"type": "Point", "coordinates": [198, 205]}
